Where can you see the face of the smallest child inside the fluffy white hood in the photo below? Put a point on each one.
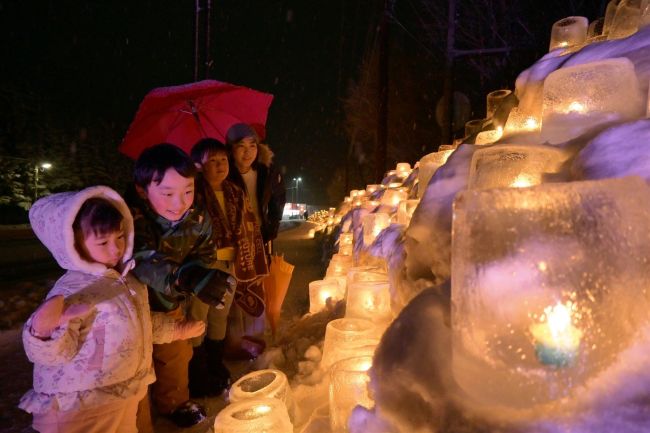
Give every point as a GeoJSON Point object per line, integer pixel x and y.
{"type": "Point", "coordinates": [107, 248]}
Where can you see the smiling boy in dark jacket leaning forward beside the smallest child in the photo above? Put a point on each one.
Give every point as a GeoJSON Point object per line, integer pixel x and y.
{"type": "Point", "coordinates": [175, 255]}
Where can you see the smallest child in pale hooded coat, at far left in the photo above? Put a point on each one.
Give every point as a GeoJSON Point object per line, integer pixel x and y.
{"type": "Point", "coordinates": [91, 340]}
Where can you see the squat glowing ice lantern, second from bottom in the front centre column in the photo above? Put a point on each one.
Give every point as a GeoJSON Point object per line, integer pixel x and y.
{"type": "Point", "coordinates": [347, 338]}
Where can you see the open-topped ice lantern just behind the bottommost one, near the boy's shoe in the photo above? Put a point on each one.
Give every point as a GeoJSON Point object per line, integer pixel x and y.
{"type": "Point", "coordinates": [262, 384]}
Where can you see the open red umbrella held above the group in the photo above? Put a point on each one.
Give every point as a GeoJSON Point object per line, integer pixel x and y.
{"type": "Point", "coordinates": [182, 115]}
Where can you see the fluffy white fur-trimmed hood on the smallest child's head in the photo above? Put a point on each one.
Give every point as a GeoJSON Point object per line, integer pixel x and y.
{"type": "Point", "coordinates": [52, 217]}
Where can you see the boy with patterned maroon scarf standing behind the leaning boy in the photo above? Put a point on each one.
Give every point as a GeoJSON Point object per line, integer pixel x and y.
{"type": "Point", "coordinates": [235, 231]}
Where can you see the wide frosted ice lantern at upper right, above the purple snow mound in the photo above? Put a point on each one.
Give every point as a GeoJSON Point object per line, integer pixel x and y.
{"type": "Point", "coordinates": [578, 98]}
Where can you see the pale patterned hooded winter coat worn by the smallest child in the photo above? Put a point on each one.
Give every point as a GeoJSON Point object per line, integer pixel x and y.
{"type": "Point", "coordinates": [105, 355]}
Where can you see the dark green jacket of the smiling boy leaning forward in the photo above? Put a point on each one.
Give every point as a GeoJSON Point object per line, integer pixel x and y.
{"type": "Point", "coordinates": [161, 247]}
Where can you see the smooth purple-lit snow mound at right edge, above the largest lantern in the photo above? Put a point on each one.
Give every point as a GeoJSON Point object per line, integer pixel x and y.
{"type": "Point", "coordinates": [620, 151]}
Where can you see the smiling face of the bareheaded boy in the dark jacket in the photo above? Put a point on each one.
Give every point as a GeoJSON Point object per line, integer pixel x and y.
{"type": "Point", "coordinates": [172, 197]}
